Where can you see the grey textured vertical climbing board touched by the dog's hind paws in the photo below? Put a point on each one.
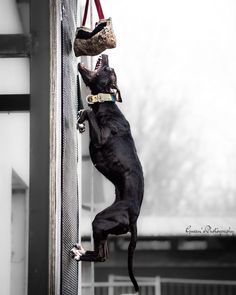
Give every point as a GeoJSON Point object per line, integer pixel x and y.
{"type": "Point", "coordinates": [70, 210]}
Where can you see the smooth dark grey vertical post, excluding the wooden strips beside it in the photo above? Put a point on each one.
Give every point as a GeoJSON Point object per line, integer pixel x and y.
{"type": "Point", "coordinates": [39, 201]}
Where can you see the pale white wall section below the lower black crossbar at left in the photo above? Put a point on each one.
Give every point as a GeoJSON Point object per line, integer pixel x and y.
{"type": "Point", "coordinates": [14, 153]}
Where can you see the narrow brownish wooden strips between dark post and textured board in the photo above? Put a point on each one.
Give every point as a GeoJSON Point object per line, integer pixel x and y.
{"type": "Point", "coordinates": [55, 148]}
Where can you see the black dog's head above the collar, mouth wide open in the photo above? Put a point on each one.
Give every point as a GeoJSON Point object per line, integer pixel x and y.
{"type": "Point", "coordinates": [102, 79]}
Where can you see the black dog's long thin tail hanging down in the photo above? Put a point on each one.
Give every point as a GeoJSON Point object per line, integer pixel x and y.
{"type": "Point", "coordinates": [132, 246]}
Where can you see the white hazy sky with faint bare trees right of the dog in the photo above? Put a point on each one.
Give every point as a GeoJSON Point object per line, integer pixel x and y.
{"type": "Point", "coordinates": [180, 55]}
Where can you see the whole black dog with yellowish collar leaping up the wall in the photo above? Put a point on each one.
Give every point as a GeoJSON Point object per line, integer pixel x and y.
{"type": "Point", "coordinates": [113, 153]}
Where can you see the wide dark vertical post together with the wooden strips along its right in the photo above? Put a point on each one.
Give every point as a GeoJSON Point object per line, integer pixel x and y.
{"type": "Point", "coordinates": [45, 141]}
